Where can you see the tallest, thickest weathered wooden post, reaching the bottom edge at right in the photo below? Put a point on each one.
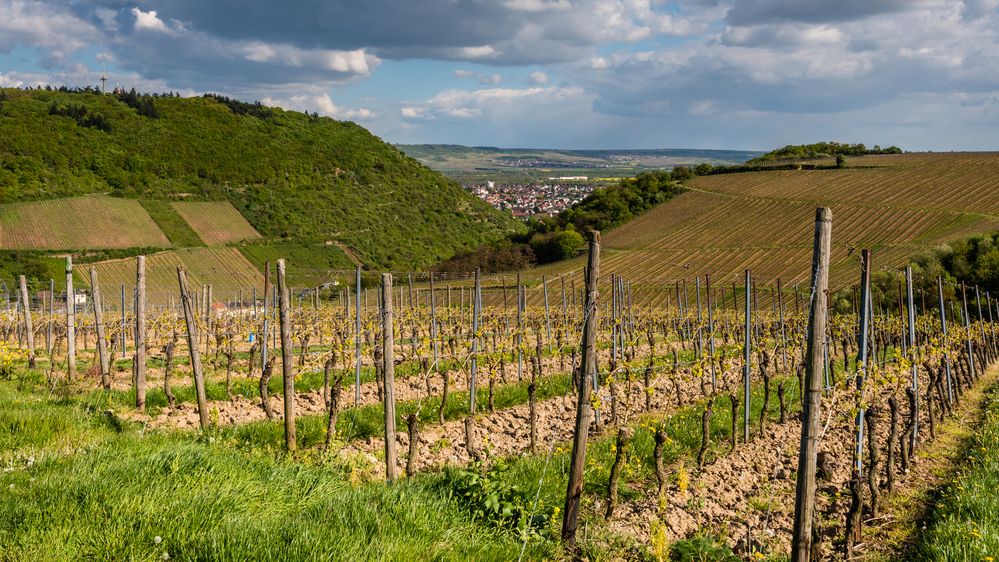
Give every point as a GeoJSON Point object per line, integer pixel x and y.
{"type": "Point", "coordinates": [804, 502]}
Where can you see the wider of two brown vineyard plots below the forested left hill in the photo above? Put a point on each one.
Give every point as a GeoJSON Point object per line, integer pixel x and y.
{"type": "Point", "coordinates": [86, 222]}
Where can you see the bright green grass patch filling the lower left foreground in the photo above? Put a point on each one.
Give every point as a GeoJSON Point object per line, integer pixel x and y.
{"type": "Point", "coordinates": [82, 487]}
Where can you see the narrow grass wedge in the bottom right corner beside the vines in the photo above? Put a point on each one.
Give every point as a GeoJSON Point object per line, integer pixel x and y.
{"type": "Point", "coordinates": [964, 524]}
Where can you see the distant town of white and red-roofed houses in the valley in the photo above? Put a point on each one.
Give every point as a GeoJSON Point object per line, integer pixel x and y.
{"type": "Point", "coordinates": [537, 198]}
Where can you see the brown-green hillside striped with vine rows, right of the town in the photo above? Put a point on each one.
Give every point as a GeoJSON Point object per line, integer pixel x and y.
{"type": "Point", "coordinates": [897, 205]}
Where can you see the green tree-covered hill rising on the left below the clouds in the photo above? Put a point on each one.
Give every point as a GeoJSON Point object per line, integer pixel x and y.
{"type": "Point", "coordinates": [295, 177]}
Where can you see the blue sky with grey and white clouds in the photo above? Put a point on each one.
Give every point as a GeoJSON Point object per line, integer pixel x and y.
{"type": "Point", "coordinates": [723, 74]}
